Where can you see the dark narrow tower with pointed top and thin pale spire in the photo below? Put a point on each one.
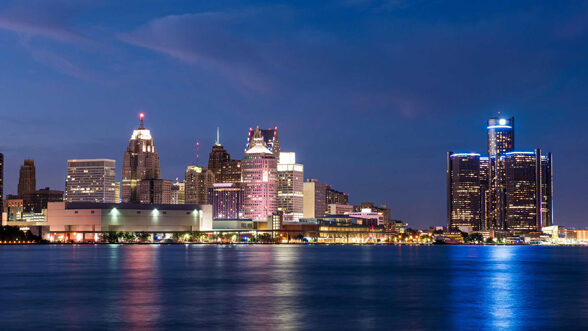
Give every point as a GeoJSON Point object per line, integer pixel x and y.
{"type": "Point", "coordinates": [224, 169]}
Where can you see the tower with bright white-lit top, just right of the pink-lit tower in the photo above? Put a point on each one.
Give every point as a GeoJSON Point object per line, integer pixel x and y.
{"type": "Point", "coordinates": [290, 187]}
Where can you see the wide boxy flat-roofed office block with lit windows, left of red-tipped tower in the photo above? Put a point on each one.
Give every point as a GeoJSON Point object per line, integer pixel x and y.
{"type": "Point", "coordinates": [91, 180]}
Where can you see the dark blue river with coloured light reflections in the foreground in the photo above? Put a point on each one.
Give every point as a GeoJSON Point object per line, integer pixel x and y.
{"type": "Point", "coordinates": [293, 287]}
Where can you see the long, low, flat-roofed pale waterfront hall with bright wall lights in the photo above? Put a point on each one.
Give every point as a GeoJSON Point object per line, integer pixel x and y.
{"type": "Point", "coordinates": [83, 216]}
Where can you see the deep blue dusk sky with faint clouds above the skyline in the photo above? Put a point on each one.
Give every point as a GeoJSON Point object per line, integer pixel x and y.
{"type": "Point", "coordinates": [369, 94]}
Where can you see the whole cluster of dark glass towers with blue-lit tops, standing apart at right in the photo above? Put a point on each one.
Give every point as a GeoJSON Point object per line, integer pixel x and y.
{"type": "Point", "coordinates": [507, 190]}
